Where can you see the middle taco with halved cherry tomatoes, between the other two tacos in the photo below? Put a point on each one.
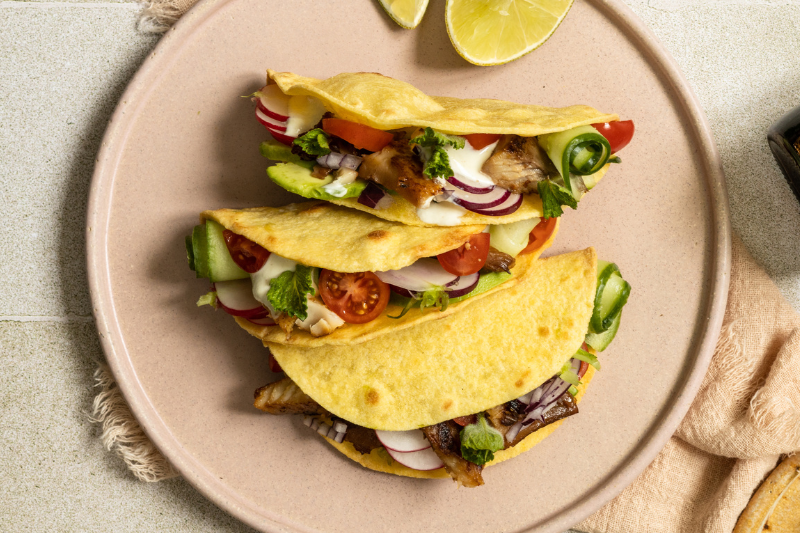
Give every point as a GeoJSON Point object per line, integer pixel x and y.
{"type": "Point", "coordinates": [315, 273]}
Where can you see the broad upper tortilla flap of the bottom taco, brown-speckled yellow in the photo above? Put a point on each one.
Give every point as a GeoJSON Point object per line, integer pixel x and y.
{"type": "Point", "coordinates": [464, 363]}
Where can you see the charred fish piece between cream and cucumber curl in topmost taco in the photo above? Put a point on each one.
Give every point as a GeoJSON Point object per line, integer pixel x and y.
{"type": "Point", "coordinates": [518, 164]}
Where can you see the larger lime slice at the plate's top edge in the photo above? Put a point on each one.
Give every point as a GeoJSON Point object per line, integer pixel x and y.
{"type": "Point", "coordinates": [493, 32]}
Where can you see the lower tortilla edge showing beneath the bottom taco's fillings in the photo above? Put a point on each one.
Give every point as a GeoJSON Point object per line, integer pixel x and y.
{"type": "Point", "coordinates": [379, 460]}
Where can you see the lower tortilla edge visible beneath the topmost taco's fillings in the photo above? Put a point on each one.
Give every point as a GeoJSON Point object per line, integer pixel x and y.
{"type": "Point", "coordinates": [401, 210]}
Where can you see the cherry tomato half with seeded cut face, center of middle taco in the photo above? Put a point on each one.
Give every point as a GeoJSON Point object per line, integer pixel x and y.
{"type": "Point", "coordinates": [357, 297]}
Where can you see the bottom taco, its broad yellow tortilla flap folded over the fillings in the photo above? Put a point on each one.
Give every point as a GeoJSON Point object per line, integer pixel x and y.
{"type": "Point", "coordinates": [446, 398]}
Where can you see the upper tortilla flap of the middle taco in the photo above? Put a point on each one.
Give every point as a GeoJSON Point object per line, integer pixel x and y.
{"type": "Point", "coordinates": [345, 240]}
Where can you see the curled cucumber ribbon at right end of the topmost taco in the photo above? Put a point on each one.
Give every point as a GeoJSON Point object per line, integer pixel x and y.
{"type": "Point", "coordinates": [581, 151]}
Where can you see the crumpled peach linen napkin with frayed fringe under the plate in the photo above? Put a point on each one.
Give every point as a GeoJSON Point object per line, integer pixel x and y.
{"type": "Point", "coordinates": [746, 414]}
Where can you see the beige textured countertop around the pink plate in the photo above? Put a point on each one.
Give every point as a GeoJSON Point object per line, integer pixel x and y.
{"type": "Point", "coordinates": [63, 65]}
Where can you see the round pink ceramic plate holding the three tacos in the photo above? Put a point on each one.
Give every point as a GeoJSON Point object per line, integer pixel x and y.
{"type": "Point", "coordinates": [182, 140]}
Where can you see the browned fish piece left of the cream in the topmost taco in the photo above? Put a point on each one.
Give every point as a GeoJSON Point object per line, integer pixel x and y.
{"type": "Point", "coordinates": [397, 168]}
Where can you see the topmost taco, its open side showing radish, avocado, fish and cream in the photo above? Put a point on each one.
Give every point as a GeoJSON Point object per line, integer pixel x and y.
{"type": "Point", "coordinates": [380, 145]}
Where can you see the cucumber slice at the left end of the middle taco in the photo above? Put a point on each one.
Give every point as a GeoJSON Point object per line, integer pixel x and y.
{"type": "Point", "coordinates": [210, 257]}
